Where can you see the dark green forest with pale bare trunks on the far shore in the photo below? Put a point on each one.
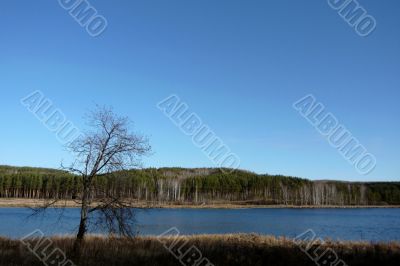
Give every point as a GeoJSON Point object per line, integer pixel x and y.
{"type": "Point", "coordinates": [197, 186]}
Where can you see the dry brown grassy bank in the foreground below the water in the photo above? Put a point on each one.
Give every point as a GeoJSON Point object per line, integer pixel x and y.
{"type": "Point", "coordinates": [218, 249]}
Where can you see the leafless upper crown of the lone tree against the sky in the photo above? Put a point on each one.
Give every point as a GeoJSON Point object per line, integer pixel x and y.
{"type": "Point", "coordinates": [108, 146]}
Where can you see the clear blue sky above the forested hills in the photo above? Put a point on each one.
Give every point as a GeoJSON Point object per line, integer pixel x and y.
{"type": "Point", "coordinates": [238, 64]}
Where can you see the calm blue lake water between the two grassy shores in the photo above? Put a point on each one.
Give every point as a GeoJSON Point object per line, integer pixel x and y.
{"type": "Point", "coordinates": [345, 224]}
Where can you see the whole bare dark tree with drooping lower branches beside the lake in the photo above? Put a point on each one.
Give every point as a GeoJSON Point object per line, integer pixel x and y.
{"type": "Point", "coordinates": [106, 149]}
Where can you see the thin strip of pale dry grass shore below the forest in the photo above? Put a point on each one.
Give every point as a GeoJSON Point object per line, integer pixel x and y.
{"type": "Point", "coordinates": [32, 203]}
